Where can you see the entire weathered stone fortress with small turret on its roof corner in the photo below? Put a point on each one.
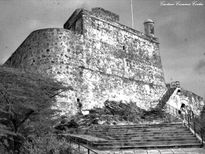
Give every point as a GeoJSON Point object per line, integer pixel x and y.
{"type": "Point", "coordinates": [102, 60]}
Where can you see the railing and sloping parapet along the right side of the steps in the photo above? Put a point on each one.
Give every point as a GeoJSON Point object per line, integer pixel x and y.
{"type": "Point", "coordinates": [190, 121]}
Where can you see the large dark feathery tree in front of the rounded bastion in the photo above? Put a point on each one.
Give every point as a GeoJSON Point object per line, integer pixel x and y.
{"type": "Point", "coordinates": [25, 106]}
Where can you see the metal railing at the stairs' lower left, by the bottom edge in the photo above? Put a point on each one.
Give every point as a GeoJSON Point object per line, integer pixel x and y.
{"type": "Point", "coordinates": [77, 147]}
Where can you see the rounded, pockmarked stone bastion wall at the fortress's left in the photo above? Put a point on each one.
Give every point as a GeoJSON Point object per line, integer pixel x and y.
{"type": "Point", "coordinates": [56, 53]}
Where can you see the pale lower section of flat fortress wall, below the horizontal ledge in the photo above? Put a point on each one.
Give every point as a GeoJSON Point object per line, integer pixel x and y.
{"type": "Point", "coordinates": [99, 87]}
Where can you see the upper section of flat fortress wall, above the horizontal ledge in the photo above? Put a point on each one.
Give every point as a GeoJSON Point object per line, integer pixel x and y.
{"type": "Point", "coordinates": [139, 58]}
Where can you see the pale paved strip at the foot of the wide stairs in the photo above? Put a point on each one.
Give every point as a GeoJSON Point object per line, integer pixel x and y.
{"type": "Point", "coordinates": [159, 151]}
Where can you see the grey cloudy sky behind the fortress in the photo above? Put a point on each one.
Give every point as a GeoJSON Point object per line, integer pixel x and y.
{"type": "Point", "coordinates": [179, 25]}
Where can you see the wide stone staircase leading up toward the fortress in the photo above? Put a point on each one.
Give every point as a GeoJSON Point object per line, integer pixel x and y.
{"type": "Point", "coordinates": [146, 136]}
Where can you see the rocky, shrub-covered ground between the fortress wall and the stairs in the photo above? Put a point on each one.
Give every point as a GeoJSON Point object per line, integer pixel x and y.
{"type": "Point", "coordinates": [114, 113]}
